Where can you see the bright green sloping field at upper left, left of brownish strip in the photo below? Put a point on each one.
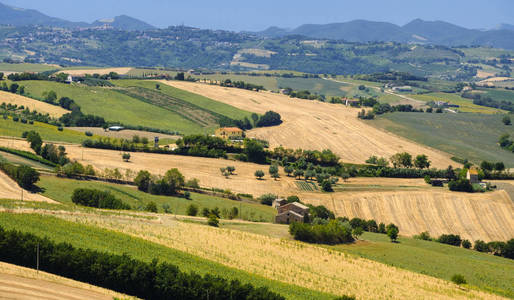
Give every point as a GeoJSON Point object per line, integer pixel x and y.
{"type": "Point", "coordinates": [114, 106]}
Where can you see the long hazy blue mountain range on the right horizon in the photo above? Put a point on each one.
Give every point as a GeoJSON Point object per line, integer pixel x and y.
{"type": "Point", "coordinates": [417, 31]}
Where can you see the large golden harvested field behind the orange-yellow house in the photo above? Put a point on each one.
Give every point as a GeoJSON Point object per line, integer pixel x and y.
{"type": "Point", "coordinates": [314, 125]}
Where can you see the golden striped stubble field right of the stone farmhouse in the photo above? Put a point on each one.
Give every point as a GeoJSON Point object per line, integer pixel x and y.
{"type": "Point", "coordinates": [487, 216]}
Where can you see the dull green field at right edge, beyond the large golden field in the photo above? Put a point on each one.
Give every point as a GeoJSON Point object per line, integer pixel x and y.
{"type": "Point", "coordinates": [465, 135]}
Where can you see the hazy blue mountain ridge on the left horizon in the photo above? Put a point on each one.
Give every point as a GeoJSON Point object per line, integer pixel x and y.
{"type": "Point", "coordinates": [23, 17]}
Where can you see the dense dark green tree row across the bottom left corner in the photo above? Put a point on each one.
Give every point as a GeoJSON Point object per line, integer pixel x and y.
{"type": "Point", "coordinates": [122, 273]}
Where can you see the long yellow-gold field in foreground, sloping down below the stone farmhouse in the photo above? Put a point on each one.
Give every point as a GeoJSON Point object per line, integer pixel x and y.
{"type": "Point", "coordinates": [284, 260]}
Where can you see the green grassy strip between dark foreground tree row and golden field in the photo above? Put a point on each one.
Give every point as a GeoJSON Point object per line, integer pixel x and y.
{"type": "Point", "coordinates": [105, 240]}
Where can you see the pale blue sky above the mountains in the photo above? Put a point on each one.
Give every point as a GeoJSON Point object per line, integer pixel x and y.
{"type": "Point", "coordinates": [258, 15]}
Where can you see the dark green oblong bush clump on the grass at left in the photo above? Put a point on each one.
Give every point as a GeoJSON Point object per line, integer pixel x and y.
{"type": "Point", "coordinates": [97, 199]}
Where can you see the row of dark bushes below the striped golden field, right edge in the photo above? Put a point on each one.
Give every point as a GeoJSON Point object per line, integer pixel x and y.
{"type": "Point", "coordinates": [498, 248]}
